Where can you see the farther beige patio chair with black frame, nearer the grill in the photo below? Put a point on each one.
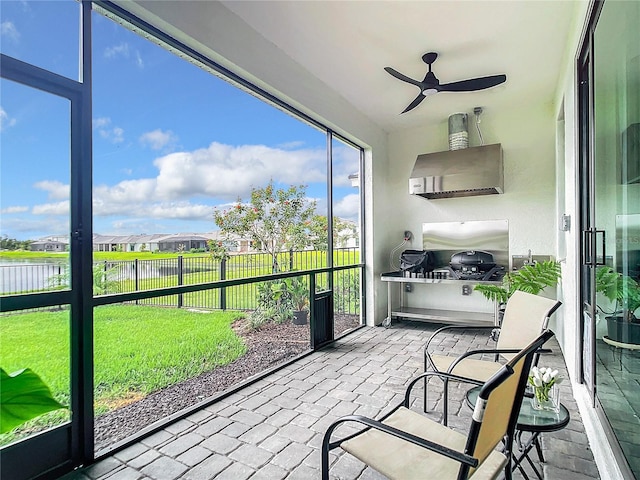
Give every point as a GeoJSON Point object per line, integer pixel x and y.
{"type": "Point", "coordinates": [525, 316]}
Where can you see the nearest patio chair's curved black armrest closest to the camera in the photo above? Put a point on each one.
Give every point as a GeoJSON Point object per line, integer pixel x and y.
{"type": "Point", "coordinates": [408, 437]}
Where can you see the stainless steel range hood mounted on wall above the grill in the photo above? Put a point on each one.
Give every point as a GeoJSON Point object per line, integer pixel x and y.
{"type": "Point", "coordinates": [458, 173]}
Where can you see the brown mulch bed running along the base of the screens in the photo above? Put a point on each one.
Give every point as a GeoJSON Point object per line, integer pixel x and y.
{"type": "Point", "coordinates": [267, 347]}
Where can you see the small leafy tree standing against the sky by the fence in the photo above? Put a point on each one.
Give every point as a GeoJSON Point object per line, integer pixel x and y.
{"type": "Point", "coordinates": [274, 219]}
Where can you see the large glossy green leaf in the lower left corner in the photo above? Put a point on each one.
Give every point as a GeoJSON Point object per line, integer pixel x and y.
{"type": "Point", "coordinates": [23, 396]}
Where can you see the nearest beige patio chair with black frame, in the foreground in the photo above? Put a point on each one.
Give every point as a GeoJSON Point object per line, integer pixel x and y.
{"type": "Point", "coordinates": [407, 445]}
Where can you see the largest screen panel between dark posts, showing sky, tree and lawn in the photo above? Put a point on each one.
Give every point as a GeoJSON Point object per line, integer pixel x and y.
{"type": "Point", "coordinates": [195, 181]}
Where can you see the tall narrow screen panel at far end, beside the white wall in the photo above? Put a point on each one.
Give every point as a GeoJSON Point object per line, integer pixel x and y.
{"type": "Point", "coordinates": [346, 220]}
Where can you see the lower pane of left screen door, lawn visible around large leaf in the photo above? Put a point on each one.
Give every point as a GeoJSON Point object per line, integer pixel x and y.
{"type": "Point", "coordinates": [38, 340]}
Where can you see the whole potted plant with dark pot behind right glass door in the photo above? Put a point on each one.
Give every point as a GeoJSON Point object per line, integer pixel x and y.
{"type": "Point", "coordinates": [624, 292]}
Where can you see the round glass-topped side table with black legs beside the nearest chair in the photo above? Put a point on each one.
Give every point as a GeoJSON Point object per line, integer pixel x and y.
{"type": "Point", "coordinates": [531, 421]}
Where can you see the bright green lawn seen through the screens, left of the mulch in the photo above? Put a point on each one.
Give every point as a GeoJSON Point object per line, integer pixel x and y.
{"type": "Point", "coordinates": [138, 350]}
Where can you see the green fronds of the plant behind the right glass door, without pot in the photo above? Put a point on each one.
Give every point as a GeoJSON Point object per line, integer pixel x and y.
{"type": "Point", "coordinates": [621, 289]}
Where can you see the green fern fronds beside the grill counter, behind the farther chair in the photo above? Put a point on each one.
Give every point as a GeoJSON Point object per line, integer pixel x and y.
{"type": "Point", "coordinates": [530, 278]}
